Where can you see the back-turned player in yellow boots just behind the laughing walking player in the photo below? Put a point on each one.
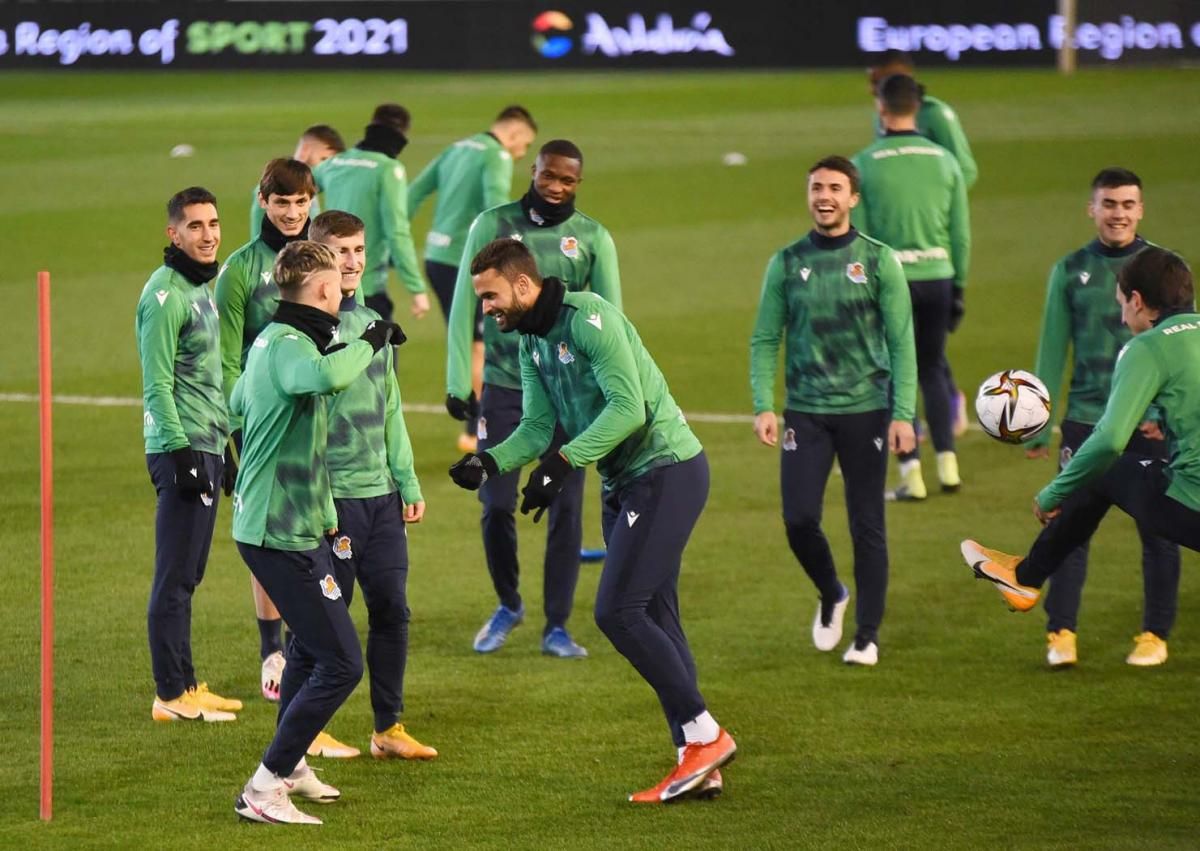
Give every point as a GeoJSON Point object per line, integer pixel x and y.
{"type": "Point", "coordinates": [914, 200]}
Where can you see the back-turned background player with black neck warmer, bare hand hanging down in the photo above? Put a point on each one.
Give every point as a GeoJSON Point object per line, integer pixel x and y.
{"type": "Point", "coordinates": [369, 181]}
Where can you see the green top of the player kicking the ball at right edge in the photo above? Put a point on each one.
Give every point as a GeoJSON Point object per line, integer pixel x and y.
{"type": "Point", "coordinates": [1160, 367]}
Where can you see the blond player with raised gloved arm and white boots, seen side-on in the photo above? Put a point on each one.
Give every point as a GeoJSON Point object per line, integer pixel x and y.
{"type": "Point", "coordinates": [284, 510]}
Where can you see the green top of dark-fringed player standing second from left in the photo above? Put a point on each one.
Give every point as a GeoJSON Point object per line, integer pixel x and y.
{"type": "Point", "coordinates": [247, 301]}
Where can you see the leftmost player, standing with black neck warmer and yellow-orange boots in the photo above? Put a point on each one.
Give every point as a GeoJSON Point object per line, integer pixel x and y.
{"type": "Point", "coordinates": [185, 429]}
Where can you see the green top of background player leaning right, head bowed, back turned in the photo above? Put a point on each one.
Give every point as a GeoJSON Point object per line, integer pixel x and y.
{"type": "Point", "coordinates": [470, 177]}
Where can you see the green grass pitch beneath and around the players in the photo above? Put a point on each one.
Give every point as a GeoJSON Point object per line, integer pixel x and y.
{"type": "Point", "coordinates": [961, 738]}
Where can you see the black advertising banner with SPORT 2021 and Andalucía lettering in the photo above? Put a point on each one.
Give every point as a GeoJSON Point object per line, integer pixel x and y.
{"type": "Point", "coordinates": [476, 35]}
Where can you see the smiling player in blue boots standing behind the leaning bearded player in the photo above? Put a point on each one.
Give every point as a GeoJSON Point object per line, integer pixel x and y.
{"type": "Point", "coordinates": [580, 253]}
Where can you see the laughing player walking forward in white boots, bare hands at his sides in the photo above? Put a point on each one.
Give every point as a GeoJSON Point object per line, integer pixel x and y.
{"type": "Point", "coordinates": [841, 304]}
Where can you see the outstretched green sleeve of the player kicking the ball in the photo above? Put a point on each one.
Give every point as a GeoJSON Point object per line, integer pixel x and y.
{"type": "Point", "coordinates": [1136, 382]}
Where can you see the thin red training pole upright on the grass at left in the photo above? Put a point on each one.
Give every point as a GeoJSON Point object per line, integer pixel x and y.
{"type": "Point", "coordinates": [45, 405]}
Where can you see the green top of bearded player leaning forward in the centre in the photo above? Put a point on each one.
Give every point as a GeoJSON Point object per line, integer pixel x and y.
{"type": "Point", "coordinates": [593, 375]}
